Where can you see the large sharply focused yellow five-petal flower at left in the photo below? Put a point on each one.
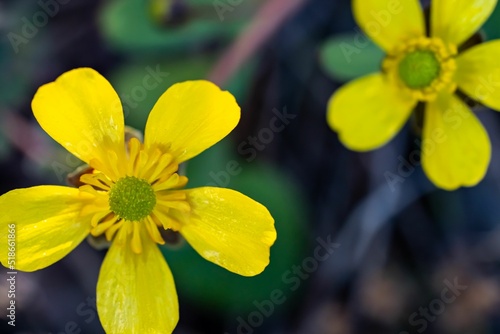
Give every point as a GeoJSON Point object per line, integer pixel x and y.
{"type": "Point", "coordinates": [133, 192]}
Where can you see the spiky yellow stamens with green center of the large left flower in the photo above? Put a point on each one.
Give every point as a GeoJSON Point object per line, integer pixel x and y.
{"type": "Point", "coordinates": [137, 193]}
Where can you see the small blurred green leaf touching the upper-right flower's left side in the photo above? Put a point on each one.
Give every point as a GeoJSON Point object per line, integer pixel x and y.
{"type": "Point", "coordinates": [349, 56]}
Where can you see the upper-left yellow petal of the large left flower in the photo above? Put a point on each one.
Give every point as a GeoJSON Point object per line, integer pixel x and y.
{"type": "Point", "coordinates": [82, 112]}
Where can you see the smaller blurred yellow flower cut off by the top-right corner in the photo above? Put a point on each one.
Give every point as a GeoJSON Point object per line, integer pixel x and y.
{"type": "Point", "coordinates": [369, 111]}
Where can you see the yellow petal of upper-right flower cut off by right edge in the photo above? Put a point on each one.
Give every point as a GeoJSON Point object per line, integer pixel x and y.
{"type": "Point", "coordinates": [478, 73]}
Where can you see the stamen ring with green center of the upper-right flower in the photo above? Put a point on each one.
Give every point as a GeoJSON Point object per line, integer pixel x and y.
{"type": "Point", "coordinates": [422, 66]}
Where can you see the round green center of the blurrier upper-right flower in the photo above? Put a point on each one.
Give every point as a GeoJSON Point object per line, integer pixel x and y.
{"type": "Point", "coordinates": [419, 69]}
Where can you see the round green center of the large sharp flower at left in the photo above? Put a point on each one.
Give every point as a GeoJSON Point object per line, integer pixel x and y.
{"type": "Point", "coordinates": [131, 198]}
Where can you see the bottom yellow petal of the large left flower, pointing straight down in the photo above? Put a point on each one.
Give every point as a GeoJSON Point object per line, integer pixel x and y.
{"type": "Point", "coordinates": [136, 292]}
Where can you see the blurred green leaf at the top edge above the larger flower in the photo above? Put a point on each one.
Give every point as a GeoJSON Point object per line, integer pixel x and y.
{"type": "Point", "coordinates": [132, 26]}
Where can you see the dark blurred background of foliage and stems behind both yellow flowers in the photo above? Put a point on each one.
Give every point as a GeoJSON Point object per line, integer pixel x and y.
{"type": "Point", "coordinates": [356, 252]}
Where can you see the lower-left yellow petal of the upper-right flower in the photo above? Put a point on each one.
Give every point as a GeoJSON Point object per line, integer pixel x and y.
{"type": "Point", "coordinates": [368, 112]}
